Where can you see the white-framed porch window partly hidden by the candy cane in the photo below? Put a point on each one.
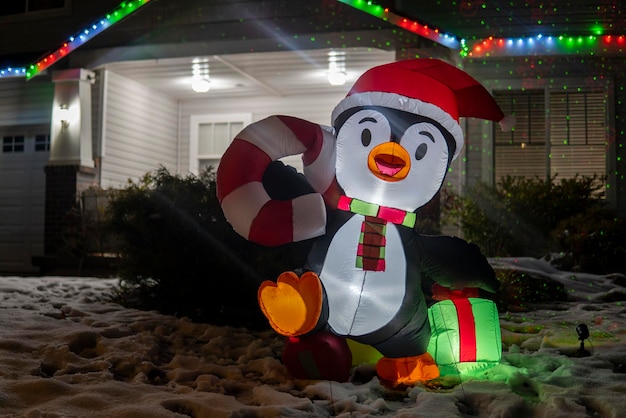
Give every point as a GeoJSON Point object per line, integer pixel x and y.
{"type": "Point", "coordinates": [210, 135]}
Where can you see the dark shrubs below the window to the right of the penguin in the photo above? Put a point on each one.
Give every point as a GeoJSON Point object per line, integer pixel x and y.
{"type": "Point", "coordinates": [533, 217]}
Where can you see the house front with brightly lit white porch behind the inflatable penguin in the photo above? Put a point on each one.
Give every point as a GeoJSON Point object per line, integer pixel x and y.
{"type": "Point", "coordinates": [107, 113]}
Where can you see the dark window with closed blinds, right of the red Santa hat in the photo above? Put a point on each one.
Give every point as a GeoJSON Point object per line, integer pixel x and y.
{"type": "Point", "coordinates": [577, 140]}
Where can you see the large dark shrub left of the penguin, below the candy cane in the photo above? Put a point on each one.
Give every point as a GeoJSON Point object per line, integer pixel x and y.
{"type": "Point", "coordinates": [180, 256]}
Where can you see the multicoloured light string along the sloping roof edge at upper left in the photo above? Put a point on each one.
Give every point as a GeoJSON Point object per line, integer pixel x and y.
{"type": "Point", "coordinates": [120, 12]}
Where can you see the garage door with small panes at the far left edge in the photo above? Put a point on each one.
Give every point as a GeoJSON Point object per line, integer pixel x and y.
{"type": "Point", "coordinates": [23, 155]}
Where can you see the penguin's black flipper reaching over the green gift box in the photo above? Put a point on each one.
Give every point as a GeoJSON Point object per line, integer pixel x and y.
{"type": "Point", "coordinates": [456, 264]}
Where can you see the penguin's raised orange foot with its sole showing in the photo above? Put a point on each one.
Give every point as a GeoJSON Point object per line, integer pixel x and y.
{"type": "Point", "coordinates": [293, 304]}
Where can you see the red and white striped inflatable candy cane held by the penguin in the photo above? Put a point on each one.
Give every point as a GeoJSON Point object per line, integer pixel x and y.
{"type": "Point", "coordinates": [244, 200]}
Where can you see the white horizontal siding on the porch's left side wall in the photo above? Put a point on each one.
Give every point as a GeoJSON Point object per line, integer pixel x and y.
{"type": "Point", "coordinates": [139, 131]}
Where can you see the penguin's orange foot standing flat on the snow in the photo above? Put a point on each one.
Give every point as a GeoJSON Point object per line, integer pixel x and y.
{"type": "Point", "coordinates": [407, 370]}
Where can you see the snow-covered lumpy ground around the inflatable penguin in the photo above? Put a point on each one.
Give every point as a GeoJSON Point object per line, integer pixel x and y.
{"type": "Point", "coordinates": [65, 351]}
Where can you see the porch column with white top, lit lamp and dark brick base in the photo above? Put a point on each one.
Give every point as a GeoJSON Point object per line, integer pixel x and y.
{"type": "Point", "coordinates": [70, 169]}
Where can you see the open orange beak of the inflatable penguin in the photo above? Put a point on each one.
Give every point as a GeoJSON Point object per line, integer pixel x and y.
{"type": "Point", "coordinates": [389, 161]}
